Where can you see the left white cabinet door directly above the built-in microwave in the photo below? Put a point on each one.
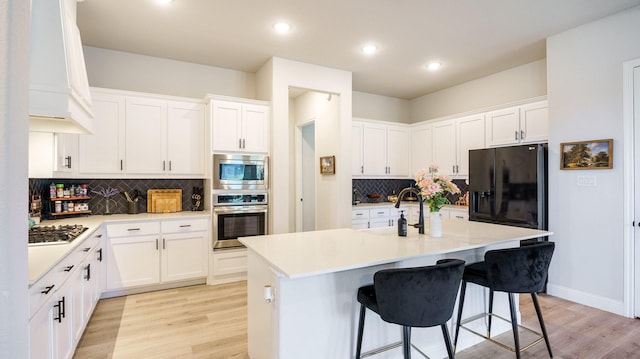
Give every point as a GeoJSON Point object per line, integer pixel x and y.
{"type": "Point", "coordinates": [225, 127]}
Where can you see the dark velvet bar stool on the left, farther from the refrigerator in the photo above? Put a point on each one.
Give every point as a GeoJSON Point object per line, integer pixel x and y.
{"type": "Point", "coordinates": [413, 297]}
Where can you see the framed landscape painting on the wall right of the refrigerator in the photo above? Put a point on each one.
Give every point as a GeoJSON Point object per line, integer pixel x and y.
{"type": "Point", "coordinates": [586, 155]}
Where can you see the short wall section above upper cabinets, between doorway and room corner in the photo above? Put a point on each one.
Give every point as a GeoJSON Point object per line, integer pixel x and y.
{"type": "Point", "coordinates": [382, 108]}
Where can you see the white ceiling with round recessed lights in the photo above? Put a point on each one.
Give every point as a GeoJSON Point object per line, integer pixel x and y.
{"type": "Point", "coordinates": [472, 38]}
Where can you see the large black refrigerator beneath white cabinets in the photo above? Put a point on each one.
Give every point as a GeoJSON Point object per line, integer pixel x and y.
{"type": "Point", "coordinates": [508, 185]}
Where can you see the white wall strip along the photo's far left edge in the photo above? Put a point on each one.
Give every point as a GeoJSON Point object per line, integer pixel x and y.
{"type": "Point", "coordinates": [14, 95]}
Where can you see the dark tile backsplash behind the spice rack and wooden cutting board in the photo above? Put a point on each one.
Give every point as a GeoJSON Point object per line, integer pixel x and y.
{"type": "Point", "coordinates": [97, 202]}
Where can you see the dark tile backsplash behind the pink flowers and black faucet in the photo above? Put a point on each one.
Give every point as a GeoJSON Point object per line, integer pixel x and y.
{"type": "Point", "coordinates": [387, 187]}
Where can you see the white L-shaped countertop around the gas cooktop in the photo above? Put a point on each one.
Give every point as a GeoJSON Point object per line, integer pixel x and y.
{"type": "Point", "coordinates": [44, 257]}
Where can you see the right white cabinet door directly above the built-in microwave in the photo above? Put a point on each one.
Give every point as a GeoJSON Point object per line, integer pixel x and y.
{"type": "Point", "coordinates": [254, 128]}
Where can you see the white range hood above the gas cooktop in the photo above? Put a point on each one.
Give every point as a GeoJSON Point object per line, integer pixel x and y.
{"type": "Point", "coordinates": [59, 98]}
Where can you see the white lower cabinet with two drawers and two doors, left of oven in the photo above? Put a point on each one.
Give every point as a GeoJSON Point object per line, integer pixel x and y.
{"type": "Point", "coordinates": [156, 252]}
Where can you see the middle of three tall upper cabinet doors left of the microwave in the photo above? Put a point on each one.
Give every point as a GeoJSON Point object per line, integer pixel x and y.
{"type": "Point", "coordinates": [145, 133]}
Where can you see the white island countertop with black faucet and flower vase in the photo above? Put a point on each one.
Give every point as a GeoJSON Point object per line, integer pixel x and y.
{"type": "Point", "coordinates": [303, 254]}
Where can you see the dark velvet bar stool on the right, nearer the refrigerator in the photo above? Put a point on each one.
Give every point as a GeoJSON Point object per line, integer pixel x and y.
{"type": "Point", "coordinates": [514, 270]}
